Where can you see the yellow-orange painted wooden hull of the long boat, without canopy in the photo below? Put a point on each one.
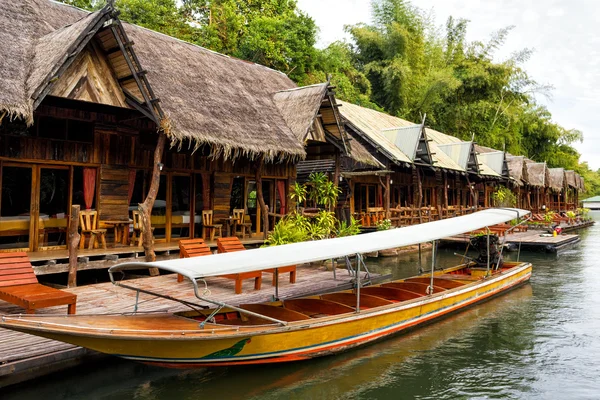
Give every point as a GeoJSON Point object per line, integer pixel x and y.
{"type": "Point", "coordinates": [181, 344]}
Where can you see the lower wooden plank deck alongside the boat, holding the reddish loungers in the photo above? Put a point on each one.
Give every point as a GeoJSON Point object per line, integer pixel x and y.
{"type": "Point", "coordinates": [24, 357]}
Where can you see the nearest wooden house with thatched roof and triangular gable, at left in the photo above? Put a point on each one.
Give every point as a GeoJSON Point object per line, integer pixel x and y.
{"type": "Point", "coordinates": [85, 98]}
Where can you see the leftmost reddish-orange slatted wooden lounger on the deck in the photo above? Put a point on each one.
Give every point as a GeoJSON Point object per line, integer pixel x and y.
{"type": "Point", "coordinates": [19, 285]}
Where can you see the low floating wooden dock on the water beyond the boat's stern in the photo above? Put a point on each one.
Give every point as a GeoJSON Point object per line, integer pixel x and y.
{"type": "Point", "coordinates": [530, 240]}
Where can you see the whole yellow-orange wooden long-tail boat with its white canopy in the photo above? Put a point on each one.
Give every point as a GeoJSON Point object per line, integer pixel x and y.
{"type": "Point", "coordinates": [292, 329]}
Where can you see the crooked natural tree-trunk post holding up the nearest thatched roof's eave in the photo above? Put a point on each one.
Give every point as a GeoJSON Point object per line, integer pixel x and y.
{"type": "Point", "coordinates": [146, 206]}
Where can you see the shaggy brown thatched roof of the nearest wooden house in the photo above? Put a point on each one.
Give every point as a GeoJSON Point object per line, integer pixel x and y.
{"type": "Point", "coordinates": [211, 99]}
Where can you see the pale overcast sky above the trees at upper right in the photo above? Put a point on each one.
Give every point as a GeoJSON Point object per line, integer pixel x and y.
{"type": "Point", "coordinates": [565, 36]}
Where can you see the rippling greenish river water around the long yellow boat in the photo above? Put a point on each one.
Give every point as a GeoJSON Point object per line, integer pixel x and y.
{"type": "Point", "coordinates": [540, 341]}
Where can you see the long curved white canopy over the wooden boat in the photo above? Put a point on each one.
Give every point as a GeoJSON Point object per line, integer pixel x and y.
{"type": "Point", "coordinates": [305, 252]}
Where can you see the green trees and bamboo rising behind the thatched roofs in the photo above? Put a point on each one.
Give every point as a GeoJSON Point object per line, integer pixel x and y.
{"type": "Point", "coordinates": [402, 63]}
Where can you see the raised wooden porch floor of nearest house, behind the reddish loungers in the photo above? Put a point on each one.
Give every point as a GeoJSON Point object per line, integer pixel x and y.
{"type": "Point", "coordinates": [57, 261]}
